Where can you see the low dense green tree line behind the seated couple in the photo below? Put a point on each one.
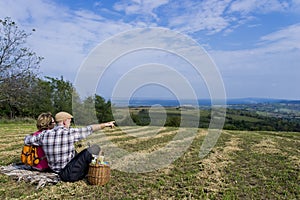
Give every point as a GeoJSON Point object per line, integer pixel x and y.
{"type": "Point", "coordinates": [54, 95]}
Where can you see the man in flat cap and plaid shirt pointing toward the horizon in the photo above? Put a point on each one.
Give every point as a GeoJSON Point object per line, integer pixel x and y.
{"type": "Point", "coordinates": [58, 145]}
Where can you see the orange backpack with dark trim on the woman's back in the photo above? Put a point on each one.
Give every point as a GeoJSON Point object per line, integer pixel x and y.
{"type": "Point", "coordinates": [29, 155]}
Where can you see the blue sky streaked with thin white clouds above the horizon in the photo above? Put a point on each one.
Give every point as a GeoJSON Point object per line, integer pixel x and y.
{"type": "Point", "coordinates": [255, 44]}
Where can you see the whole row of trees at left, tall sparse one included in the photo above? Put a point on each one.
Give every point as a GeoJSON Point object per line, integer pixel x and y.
{"type": "Point", "coordinates": [24, 94]}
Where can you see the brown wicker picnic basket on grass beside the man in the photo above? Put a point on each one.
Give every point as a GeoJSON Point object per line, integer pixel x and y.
{"type": "Point", "coordinates": [98, 174]}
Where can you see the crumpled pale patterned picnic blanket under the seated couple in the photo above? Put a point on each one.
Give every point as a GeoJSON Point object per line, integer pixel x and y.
{"type": "Point", "coordinates": [21, 172]}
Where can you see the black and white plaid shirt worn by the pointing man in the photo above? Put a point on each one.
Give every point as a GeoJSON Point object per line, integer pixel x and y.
{"type": "Point", "coordinates": [58, 144]}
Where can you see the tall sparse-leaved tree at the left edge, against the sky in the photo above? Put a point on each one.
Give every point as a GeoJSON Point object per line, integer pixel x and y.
{"type": "Point", "coordinates": [18, 67]}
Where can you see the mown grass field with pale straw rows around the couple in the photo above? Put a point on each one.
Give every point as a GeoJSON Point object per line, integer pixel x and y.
{"type": "Point", "coordinates": [242, 165]}
